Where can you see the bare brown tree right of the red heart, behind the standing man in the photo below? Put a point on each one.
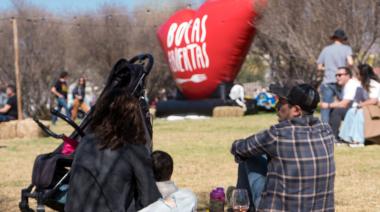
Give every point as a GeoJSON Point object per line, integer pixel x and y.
{"type": "Point", "coordinates": [294, 32]}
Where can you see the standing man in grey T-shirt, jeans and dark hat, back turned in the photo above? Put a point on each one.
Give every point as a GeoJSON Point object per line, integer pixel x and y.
{"type": "Point", "coordinates": [333, 56]}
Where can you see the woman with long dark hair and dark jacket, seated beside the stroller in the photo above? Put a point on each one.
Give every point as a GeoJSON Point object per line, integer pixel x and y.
{"type": "Point", "coordinates": [112, 166]}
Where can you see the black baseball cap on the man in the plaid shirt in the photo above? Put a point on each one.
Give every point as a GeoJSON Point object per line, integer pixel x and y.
{"type": "Point", "coordinates": [303, 95]}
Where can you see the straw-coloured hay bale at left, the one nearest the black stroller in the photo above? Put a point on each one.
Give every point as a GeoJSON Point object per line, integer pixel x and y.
{"type": "Point", "coordinates": [29, 129]}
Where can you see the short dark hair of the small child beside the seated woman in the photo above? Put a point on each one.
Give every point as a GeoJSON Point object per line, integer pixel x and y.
{"type": "Point", "coordinates": [162, 165]}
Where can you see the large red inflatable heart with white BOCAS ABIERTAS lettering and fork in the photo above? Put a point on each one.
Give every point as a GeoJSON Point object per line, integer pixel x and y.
{"type": "Point", "coordinates": [207, 47]}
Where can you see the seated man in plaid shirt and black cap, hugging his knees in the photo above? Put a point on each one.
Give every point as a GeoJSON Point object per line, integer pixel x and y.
{"type": "Point", "coordinates": [300, 168]}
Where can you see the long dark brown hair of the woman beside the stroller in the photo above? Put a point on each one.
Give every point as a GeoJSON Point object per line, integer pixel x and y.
{"type": "Point", "coordinates": [117, 120]}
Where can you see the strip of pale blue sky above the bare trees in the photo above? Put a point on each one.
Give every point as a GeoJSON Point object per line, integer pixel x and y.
{"type": "Point", "coordinates": [62, 6]}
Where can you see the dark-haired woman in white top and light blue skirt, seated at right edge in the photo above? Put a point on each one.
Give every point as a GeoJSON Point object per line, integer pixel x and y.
{"type": "Point", "coordinates": [353, 126]}
